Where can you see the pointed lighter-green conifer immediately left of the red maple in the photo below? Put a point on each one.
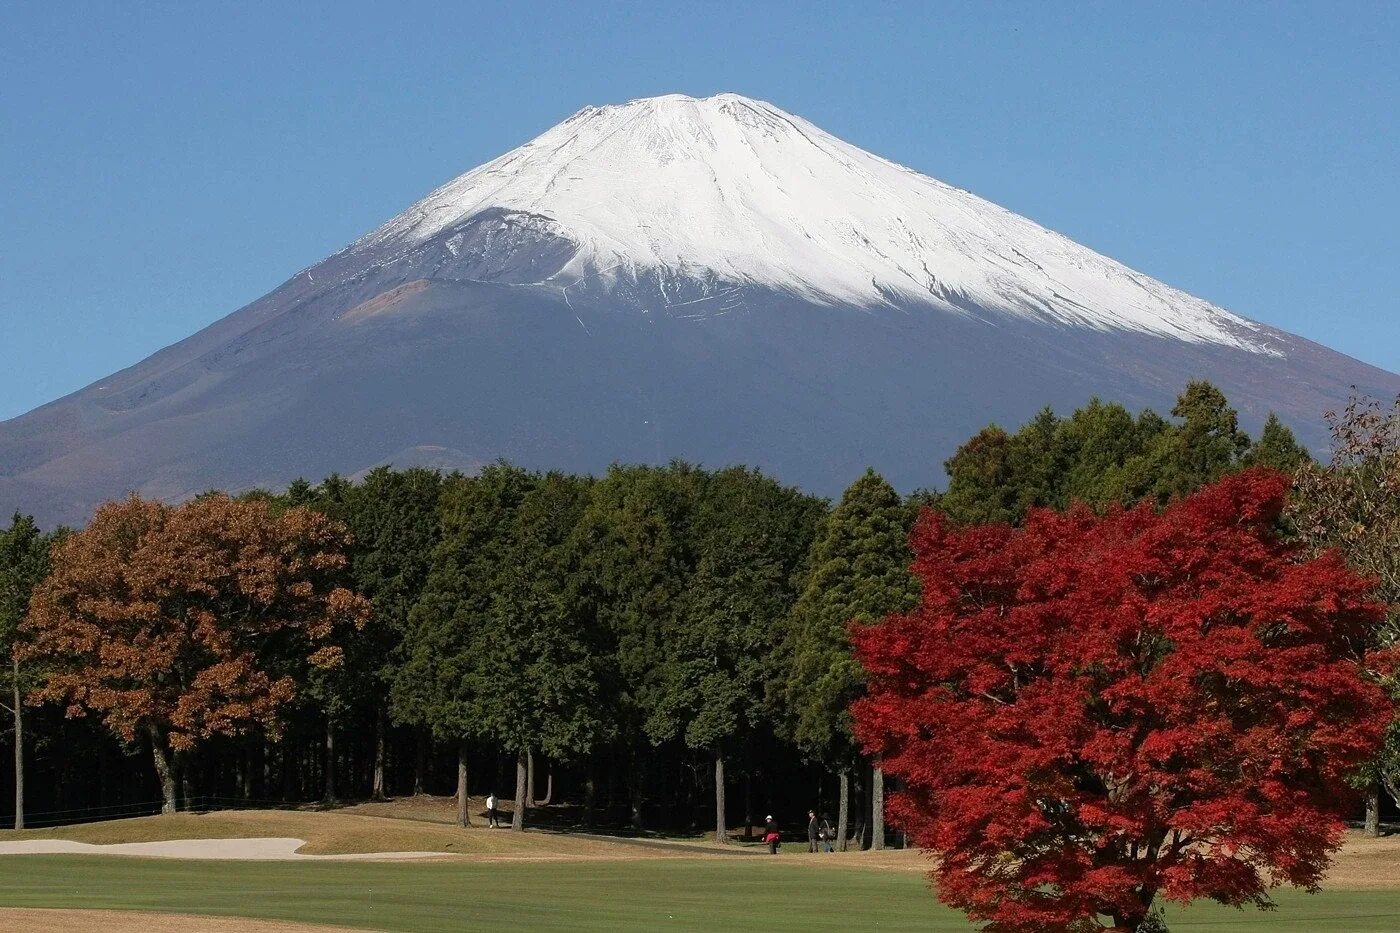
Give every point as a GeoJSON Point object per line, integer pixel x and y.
{"type": "Point", "coordinates": [859, 572]}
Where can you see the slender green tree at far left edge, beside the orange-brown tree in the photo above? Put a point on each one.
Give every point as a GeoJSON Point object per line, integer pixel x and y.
{"type": "Point", "coordinates": [24, 562]}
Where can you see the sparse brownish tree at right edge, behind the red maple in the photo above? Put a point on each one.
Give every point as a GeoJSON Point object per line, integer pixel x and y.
{"type": "Point", "coordinates": [1353, 505]}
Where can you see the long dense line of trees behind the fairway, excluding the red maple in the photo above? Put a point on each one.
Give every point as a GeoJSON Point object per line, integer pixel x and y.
{"type": "Point", "coordinates": [640, 647]}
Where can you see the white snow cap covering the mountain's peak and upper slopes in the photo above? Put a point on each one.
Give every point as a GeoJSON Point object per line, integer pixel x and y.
{"type": "Point", "coordinates": [754, 195]}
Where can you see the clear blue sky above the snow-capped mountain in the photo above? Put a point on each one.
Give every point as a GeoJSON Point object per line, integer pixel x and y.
{"type": "Point", "coordinates": [164, 163]}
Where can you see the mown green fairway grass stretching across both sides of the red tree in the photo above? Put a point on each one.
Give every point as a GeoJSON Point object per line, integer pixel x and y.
{"type": "Point", "coordinates": [744, 894]}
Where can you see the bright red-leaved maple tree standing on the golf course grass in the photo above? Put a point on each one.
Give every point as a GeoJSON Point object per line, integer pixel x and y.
{"type": "Point", "coordinates": [1093, 714]}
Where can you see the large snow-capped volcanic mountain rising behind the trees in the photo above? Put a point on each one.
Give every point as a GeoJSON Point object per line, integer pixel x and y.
{"type": "Point", "coordinates": [709, 279]}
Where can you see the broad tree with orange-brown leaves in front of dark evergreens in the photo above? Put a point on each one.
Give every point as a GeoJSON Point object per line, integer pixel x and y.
{"type": "Point", "coordinates": [178, 624]}
